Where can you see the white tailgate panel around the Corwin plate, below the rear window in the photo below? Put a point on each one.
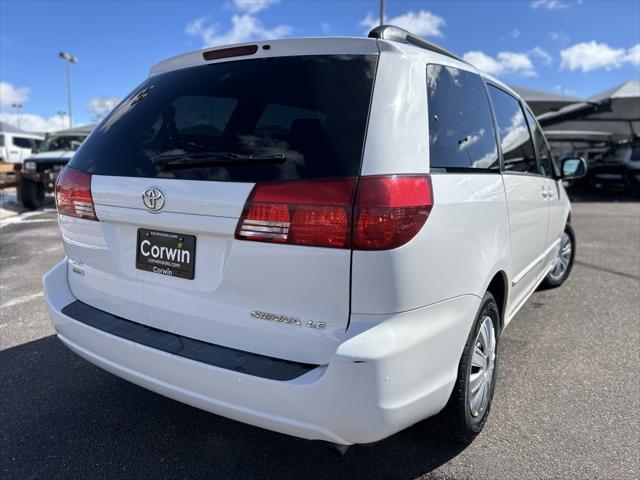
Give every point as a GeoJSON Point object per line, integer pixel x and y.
{"type": "Point", "coordinates": [232, 278]}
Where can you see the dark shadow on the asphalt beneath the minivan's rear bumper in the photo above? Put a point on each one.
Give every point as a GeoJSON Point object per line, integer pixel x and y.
{"type": "Point", "coordinates": [61, 417]}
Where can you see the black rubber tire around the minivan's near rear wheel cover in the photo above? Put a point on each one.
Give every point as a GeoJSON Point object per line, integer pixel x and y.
{"type": "Point", "coordinates": [462, 423]}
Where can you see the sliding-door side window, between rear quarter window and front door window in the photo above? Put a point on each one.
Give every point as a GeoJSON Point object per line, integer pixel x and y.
{"type": "Point", "coordinates": [515, 140]}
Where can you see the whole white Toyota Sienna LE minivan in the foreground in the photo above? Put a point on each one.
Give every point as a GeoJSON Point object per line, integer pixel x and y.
{"type": "Point", "coordinates": [321, 237]}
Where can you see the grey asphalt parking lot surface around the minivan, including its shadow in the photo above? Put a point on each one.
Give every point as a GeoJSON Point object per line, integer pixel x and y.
{"type": "Point", "coordinates": [566, 404]}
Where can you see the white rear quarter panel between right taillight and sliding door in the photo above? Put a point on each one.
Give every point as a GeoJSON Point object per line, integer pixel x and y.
{"type": "Point", "coordinates": [469, 222]}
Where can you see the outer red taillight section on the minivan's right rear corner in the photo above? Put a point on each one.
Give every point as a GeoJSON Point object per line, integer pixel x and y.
{"type": "Point", "coordinates": [390, 210]}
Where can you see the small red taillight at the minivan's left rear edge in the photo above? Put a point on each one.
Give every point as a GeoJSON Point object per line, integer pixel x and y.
{"type": "Point", "coordinates": [73, 194]}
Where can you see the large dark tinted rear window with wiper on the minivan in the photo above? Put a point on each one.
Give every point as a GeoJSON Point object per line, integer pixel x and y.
{"type": "Point", "coordinates": [284, 118]}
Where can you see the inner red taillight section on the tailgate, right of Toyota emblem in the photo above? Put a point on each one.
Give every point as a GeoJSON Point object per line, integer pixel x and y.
{"type": "Point", "coordinates": [314, 213]}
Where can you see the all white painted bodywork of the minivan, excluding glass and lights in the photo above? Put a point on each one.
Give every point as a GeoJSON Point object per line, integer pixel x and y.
{"type": "Point", "coordinates": [384, 311]}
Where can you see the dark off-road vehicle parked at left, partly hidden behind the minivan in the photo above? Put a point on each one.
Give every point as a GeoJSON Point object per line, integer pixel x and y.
{"type": "Point", "coordinates": [38, 173]}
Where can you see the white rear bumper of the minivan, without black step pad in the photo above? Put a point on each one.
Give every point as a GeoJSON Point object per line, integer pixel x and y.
{"type": "Point", "coordinates": [393, 374]}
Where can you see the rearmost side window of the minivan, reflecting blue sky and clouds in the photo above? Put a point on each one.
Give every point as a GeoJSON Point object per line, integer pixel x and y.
{"type": "Point", "coordinates": [461, 133]}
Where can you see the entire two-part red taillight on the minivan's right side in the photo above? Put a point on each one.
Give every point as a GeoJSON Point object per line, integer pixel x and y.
{"type": "Point", "coordinates": [385, 212]}
